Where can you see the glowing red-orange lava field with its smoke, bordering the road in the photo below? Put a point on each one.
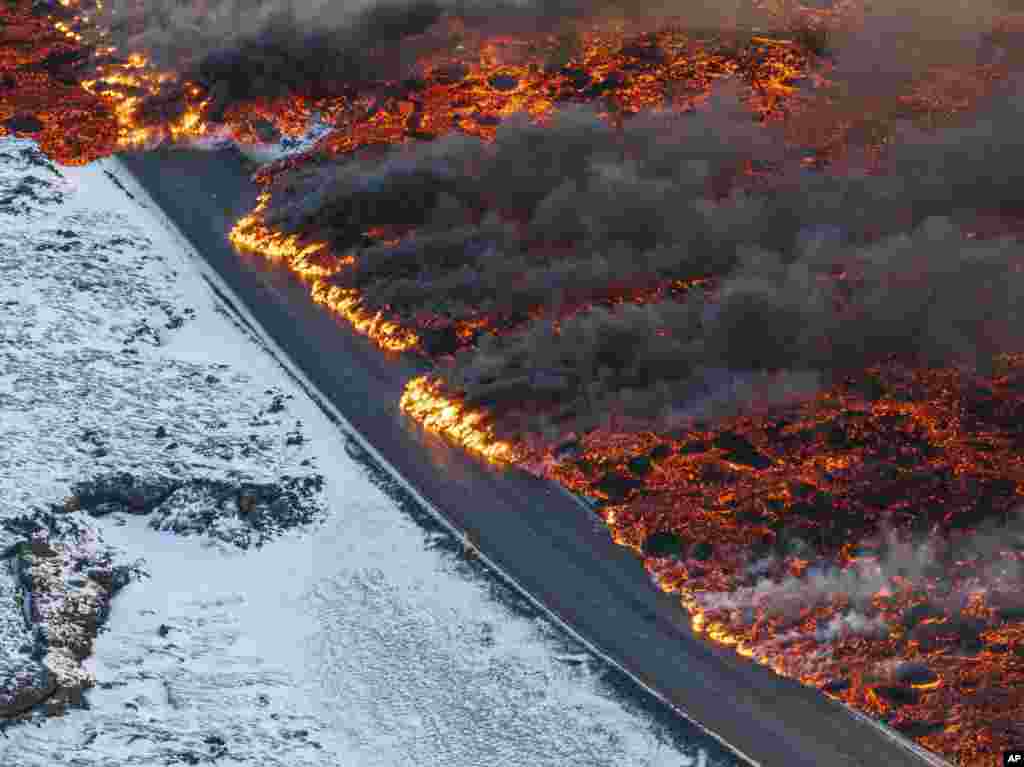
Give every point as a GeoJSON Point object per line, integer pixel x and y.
{"type": "Point", "coordinates": [749, 277]}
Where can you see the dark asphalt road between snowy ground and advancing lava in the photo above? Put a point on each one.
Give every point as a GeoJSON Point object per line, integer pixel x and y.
{"type": "Point", "coordinates": [553, 548]}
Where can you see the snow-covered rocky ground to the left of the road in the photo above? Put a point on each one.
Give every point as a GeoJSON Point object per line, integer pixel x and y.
{"type": "Point", "coordinates": [336, 627]}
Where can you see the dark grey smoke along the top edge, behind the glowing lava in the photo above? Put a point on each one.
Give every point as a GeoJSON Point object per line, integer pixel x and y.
{"type": "Point", "coordinates": [243, 50]}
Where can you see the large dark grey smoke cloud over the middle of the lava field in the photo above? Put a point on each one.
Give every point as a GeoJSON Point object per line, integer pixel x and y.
{"type": "Point", "coordinates": [585, 207]}
